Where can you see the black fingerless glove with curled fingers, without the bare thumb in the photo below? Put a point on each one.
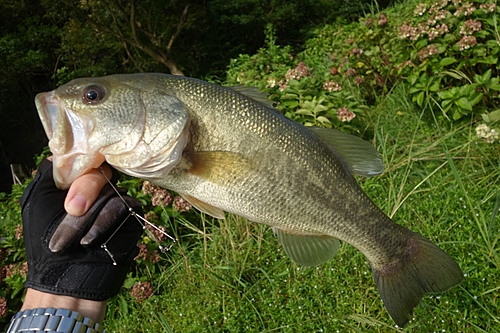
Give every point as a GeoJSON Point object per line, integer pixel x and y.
{"type": "Point", "coordinates": [70, 268]}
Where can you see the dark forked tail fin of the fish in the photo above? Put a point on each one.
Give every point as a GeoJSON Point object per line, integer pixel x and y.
{"type": "Point", "coordinates": [424, 268]}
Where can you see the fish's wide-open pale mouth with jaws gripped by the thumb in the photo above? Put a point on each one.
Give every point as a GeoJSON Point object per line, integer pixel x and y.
{"type": "Point", "coordinates": [68, 134]}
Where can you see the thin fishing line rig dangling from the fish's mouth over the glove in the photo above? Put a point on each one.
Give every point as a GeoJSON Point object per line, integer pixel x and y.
{"type": "Point", "coordinates": [142, 221]}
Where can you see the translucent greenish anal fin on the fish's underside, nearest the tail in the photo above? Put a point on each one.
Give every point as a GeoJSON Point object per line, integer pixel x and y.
{"type": "Point", "coordinates": [307, 250]}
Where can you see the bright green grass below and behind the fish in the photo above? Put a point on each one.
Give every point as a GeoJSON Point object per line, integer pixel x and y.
{"type": "Point", "coordinates": [233, 276]}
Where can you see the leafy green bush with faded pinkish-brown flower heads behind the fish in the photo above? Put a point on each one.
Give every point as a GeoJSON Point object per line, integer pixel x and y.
{"type": "Point", "coordinates": [446, 51]}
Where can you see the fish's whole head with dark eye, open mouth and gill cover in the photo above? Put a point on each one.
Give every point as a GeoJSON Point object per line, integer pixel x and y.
{"type": "Point", "coordinates": [125, 120]}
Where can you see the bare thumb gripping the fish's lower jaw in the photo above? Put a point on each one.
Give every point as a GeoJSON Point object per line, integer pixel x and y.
{"type": "Point", "coordinates": [84, 191]}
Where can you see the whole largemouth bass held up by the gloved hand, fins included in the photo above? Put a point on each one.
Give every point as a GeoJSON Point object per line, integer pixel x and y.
{"type": "Point", "coordinates": [228, 150]}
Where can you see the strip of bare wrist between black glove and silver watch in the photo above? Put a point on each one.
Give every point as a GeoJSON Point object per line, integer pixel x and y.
{"type": "Point", "coordinates": [94, 310]}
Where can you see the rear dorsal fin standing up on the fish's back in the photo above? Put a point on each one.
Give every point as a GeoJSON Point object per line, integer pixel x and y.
{"type": "Point", "coordinates": [360, 155]}
